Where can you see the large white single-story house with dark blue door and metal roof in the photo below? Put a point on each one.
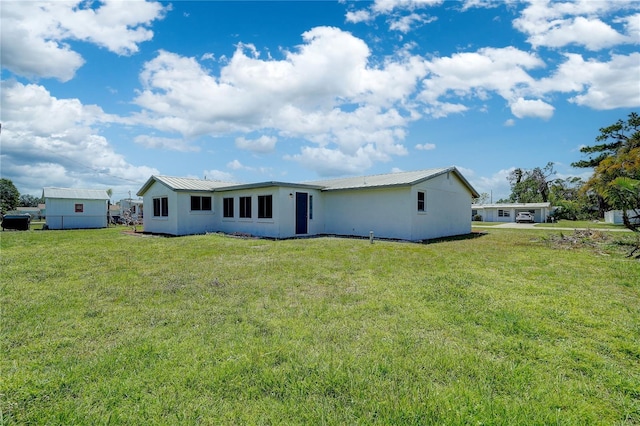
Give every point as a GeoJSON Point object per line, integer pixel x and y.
{"type": "Point", "coordinates": [413, 206]}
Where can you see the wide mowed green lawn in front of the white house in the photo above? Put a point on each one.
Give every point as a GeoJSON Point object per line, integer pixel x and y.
{"type": "Point", "coordinates": [99, 327]}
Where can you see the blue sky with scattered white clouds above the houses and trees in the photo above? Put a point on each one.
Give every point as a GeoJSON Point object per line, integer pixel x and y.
{"type": "Point", "coordinates": [105, 94]}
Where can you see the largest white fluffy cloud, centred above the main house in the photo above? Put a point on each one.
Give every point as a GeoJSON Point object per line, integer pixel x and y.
{"type": "Point", "coordinates": [330, 96]}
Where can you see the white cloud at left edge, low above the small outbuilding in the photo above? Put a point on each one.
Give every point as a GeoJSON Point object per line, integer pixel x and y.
{"type": "Point", "coordinates": [55, 142]}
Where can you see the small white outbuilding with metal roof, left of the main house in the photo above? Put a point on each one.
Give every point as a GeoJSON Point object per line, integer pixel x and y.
{"type": "Point", "coordinates": [69, 208]}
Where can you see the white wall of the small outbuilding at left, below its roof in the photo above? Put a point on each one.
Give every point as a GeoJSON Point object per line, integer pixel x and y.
{"type": "Point", "coordinates": [62, 214]}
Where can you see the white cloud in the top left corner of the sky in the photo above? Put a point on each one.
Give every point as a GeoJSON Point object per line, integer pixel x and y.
{"type": "Point", "coordinates": [35, 34]}
